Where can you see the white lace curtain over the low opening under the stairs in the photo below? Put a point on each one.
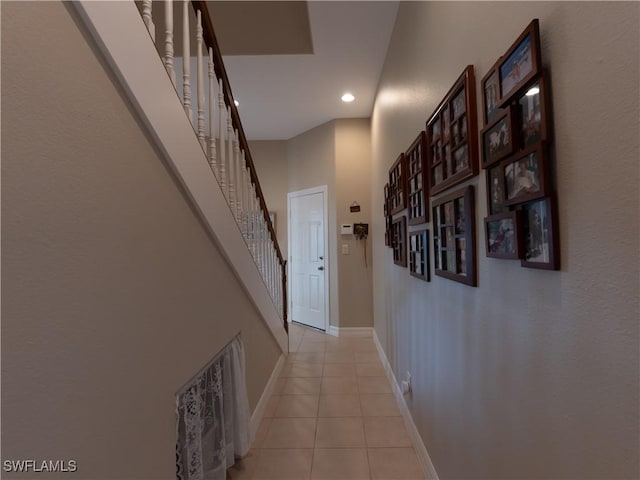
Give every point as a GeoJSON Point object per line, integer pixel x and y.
{"type": "Point", "coordinates": [213, 417]}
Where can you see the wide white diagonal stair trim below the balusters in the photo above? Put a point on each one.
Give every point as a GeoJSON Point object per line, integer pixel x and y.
{"type": "Point", "coordinates": [129, 51]}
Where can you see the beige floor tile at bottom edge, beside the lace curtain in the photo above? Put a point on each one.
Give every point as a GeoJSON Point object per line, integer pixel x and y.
{"type": "Point", "coordinates": [281, 464]}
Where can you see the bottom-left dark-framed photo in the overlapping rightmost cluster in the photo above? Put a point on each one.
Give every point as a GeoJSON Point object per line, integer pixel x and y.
{"type": "Point", "coordinates": [502, 235]}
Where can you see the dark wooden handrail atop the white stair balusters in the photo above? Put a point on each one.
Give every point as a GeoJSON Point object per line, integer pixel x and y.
{"type": "Point", "coordinates": [211, 41]}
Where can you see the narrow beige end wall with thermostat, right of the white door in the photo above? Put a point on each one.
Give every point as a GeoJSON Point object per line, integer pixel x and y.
{"type": "Point", "coordinates": [353, 183]}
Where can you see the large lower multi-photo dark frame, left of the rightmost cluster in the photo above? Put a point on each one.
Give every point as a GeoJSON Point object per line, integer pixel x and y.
{"type": "Point", "coordinates": [454, 236]}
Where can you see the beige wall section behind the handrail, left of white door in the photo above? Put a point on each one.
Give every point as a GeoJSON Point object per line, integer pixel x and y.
{"type": "Point", "coordinates": [270, 160]}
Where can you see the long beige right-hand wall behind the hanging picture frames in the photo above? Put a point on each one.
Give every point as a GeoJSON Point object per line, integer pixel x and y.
{"type": "Point", "coordinates": [534, 374]}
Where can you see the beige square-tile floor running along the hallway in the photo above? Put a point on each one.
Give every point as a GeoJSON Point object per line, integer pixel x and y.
{"type": "Point", "coordinates": [332, 416]}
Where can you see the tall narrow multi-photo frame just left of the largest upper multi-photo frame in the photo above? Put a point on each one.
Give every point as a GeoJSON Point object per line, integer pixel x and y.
{"type": "Point", "coordinates": [417, 182]}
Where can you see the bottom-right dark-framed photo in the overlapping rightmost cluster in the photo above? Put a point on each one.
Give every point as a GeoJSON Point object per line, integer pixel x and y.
{"type": "Point", "coordinates": [540, 232]}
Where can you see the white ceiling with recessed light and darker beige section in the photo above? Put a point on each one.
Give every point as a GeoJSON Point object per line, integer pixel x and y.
{"type": "Point", "coordinates": [289, 62]}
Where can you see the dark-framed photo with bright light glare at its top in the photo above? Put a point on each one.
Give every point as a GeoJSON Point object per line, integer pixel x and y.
{"type": "Point", "coordinates": [533, 112]}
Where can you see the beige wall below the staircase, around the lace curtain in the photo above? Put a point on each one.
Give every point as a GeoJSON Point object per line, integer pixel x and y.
{"type": "Point", "coordinates": [113, 293]}
